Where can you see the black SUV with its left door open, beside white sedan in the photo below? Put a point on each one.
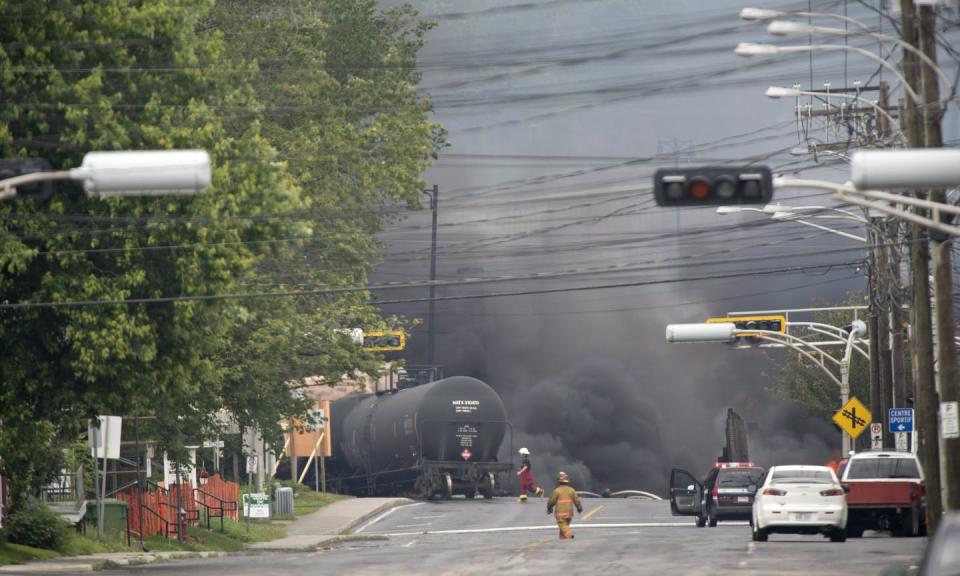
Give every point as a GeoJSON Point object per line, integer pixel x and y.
{"type": "Point", "coordinates": [725, 494]}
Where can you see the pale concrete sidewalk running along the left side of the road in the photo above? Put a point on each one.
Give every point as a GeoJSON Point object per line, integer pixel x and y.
{"type": "Point", "coordinates": [328, 524]}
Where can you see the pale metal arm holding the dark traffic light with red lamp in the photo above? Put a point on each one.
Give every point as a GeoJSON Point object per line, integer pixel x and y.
{"type": "Point", "coordinates": [881, 202]}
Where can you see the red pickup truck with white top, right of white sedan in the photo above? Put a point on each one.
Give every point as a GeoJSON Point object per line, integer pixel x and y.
{"type": "Point", "coordinates": [886, 492]}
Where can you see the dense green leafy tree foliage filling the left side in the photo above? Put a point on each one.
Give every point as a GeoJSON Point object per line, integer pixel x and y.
{"type": "Point", "coordinates": [304, 163]}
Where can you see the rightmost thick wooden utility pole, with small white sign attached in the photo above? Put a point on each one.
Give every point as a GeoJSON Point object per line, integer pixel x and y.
{"type": "Point", "coordinates": [948, 387]}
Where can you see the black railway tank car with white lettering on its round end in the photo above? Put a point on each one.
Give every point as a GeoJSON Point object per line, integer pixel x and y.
{"type": "Point", "coordinates": [435, 439]}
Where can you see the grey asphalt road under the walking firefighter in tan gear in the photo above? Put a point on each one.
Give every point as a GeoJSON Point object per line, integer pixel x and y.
{"type": "Point", "coordinates": [613, 536]}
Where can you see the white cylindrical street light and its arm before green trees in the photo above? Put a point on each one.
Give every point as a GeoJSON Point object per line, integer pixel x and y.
{"type": "Point", "coordinates": [128, 173]}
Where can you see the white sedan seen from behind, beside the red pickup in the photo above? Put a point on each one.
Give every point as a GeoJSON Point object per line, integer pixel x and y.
{"type": "Point", "coordinates": [800, 500]}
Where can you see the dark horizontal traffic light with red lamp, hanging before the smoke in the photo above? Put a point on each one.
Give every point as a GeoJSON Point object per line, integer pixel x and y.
{"type": "Point", "coordinates": [712, 185]}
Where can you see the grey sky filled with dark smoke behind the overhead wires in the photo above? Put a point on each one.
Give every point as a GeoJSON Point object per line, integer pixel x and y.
{"type": "Point", "coordinates": [558, 112]}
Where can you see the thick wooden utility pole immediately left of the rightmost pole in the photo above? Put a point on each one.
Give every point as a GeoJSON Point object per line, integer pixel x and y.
{"type": "Point", "coordinates": [925, 395]}
